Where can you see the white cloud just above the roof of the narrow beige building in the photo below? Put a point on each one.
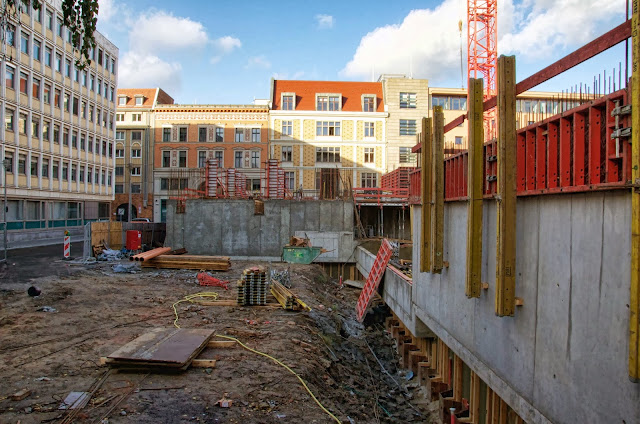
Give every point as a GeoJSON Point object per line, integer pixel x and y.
{"type": "Point", "coordinates": [146, 70]}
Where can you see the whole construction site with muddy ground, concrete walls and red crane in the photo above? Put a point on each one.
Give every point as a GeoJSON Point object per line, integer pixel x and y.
{"type": "Point", "coordinates": [492, 283]}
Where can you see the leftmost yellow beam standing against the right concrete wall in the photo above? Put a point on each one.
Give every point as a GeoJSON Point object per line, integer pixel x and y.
{"type": "Point", "coordinates": [425, 245]}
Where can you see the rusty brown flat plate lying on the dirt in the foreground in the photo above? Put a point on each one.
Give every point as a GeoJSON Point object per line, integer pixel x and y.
{"type": "Point", "coordinates": [162, 347]}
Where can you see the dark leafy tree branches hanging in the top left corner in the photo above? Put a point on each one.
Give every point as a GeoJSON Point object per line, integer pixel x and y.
{"type": "Point", "coordinates": [80, 16]}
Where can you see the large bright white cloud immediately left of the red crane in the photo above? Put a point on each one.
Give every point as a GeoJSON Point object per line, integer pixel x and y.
{"type": "Point", "coordinates": [427, 42]}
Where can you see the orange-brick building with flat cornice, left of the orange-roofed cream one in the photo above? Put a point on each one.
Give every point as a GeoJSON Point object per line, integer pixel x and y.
{"type": "Point", "coordinates": [188, 136]}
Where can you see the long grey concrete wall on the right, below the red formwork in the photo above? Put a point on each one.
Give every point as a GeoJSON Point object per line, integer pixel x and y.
{"type": "Point", "coordinates": [563, 357]}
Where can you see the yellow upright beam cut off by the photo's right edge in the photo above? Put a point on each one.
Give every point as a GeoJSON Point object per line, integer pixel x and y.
{"type": "Point", "coordinates": [634, 304]}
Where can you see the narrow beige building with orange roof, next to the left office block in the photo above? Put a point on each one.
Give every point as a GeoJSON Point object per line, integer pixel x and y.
{"type": "Point", "coordinates": [134, 151]}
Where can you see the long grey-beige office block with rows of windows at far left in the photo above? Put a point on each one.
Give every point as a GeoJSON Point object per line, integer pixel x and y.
{"type": "Point", "coordinates": [58, 133]}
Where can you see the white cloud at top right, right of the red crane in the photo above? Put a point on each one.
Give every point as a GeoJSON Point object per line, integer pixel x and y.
{"type": "Point", "coordinates": [546, 26]}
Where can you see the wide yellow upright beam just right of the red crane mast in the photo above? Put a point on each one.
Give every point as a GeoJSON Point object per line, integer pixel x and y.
{"type": "Point", "coordinates": [506, 196]}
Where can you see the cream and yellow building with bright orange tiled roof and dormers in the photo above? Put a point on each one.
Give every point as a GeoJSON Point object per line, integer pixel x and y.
{"type": "Point", "coordinates": [328, 135]}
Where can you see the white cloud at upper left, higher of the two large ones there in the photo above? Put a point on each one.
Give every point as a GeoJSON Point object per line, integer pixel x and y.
{"type": "Point", "coordinates": [161, 31]}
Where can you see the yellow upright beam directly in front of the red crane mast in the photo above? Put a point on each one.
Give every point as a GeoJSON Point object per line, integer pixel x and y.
{"type": "Point", "coordinates": [475, 176]}
